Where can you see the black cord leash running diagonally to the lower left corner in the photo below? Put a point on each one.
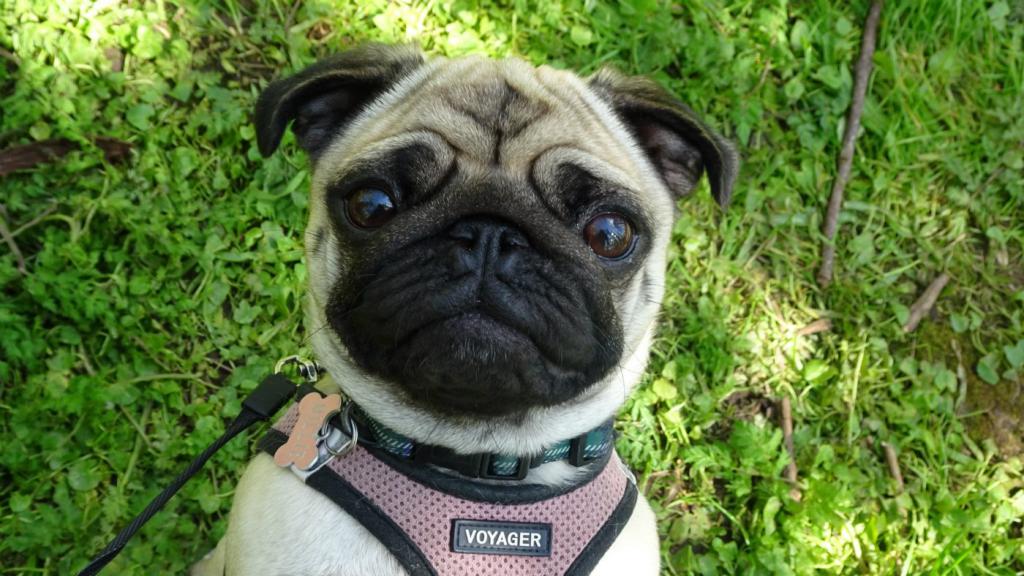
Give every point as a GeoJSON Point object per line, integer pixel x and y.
{"type": "Point", "coordinates": [263, 403]}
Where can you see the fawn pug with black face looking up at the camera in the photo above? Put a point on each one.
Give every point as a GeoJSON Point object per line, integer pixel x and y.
{"type": "Point", "coordinates": [486, 252]}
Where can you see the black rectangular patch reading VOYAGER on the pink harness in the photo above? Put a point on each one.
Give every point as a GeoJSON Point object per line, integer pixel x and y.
{"type": "Point", "coordinates": [508, 539]}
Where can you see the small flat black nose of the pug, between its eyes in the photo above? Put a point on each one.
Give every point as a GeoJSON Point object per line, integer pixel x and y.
{"type": "Point", "coordinates": [485, 242]}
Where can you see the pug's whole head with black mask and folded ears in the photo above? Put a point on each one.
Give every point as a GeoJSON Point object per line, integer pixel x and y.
{"type": "Point", "coordinates": [487, 239]}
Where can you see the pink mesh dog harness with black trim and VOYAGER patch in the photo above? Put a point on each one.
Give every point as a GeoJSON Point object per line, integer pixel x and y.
{"type": "Point", "coordinates": [485, 530]}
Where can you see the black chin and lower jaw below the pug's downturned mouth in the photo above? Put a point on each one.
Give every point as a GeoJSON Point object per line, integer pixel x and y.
{"type": "Point", "coordinates": [474, 365]}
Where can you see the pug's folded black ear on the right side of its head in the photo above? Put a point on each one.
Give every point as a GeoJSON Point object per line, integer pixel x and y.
{"type": "Point", "coordinates": [679, 145]}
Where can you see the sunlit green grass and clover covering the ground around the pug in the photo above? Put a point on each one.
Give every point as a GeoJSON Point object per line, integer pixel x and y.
{"type": "Point", "coordinates": [159, 290]}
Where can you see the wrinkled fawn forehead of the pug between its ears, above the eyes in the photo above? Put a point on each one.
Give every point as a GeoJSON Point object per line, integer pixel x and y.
{"type": "Point", "coordinates": [495, 114]}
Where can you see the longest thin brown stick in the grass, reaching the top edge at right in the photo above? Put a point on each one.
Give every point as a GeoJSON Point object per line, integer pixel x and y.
{"type": "Point", "coordinates": [862, 73]}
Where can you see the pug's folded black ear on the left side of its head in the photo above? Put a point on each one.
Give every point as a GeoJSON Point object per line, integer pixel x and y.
{"type": "Point", "coordinates": [323, 98]}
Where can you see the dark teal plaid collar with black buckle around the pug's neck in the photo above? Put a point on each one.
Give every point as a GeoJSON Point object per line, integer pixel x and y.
{"type": "Point", "coordinates": [582, 450]}
